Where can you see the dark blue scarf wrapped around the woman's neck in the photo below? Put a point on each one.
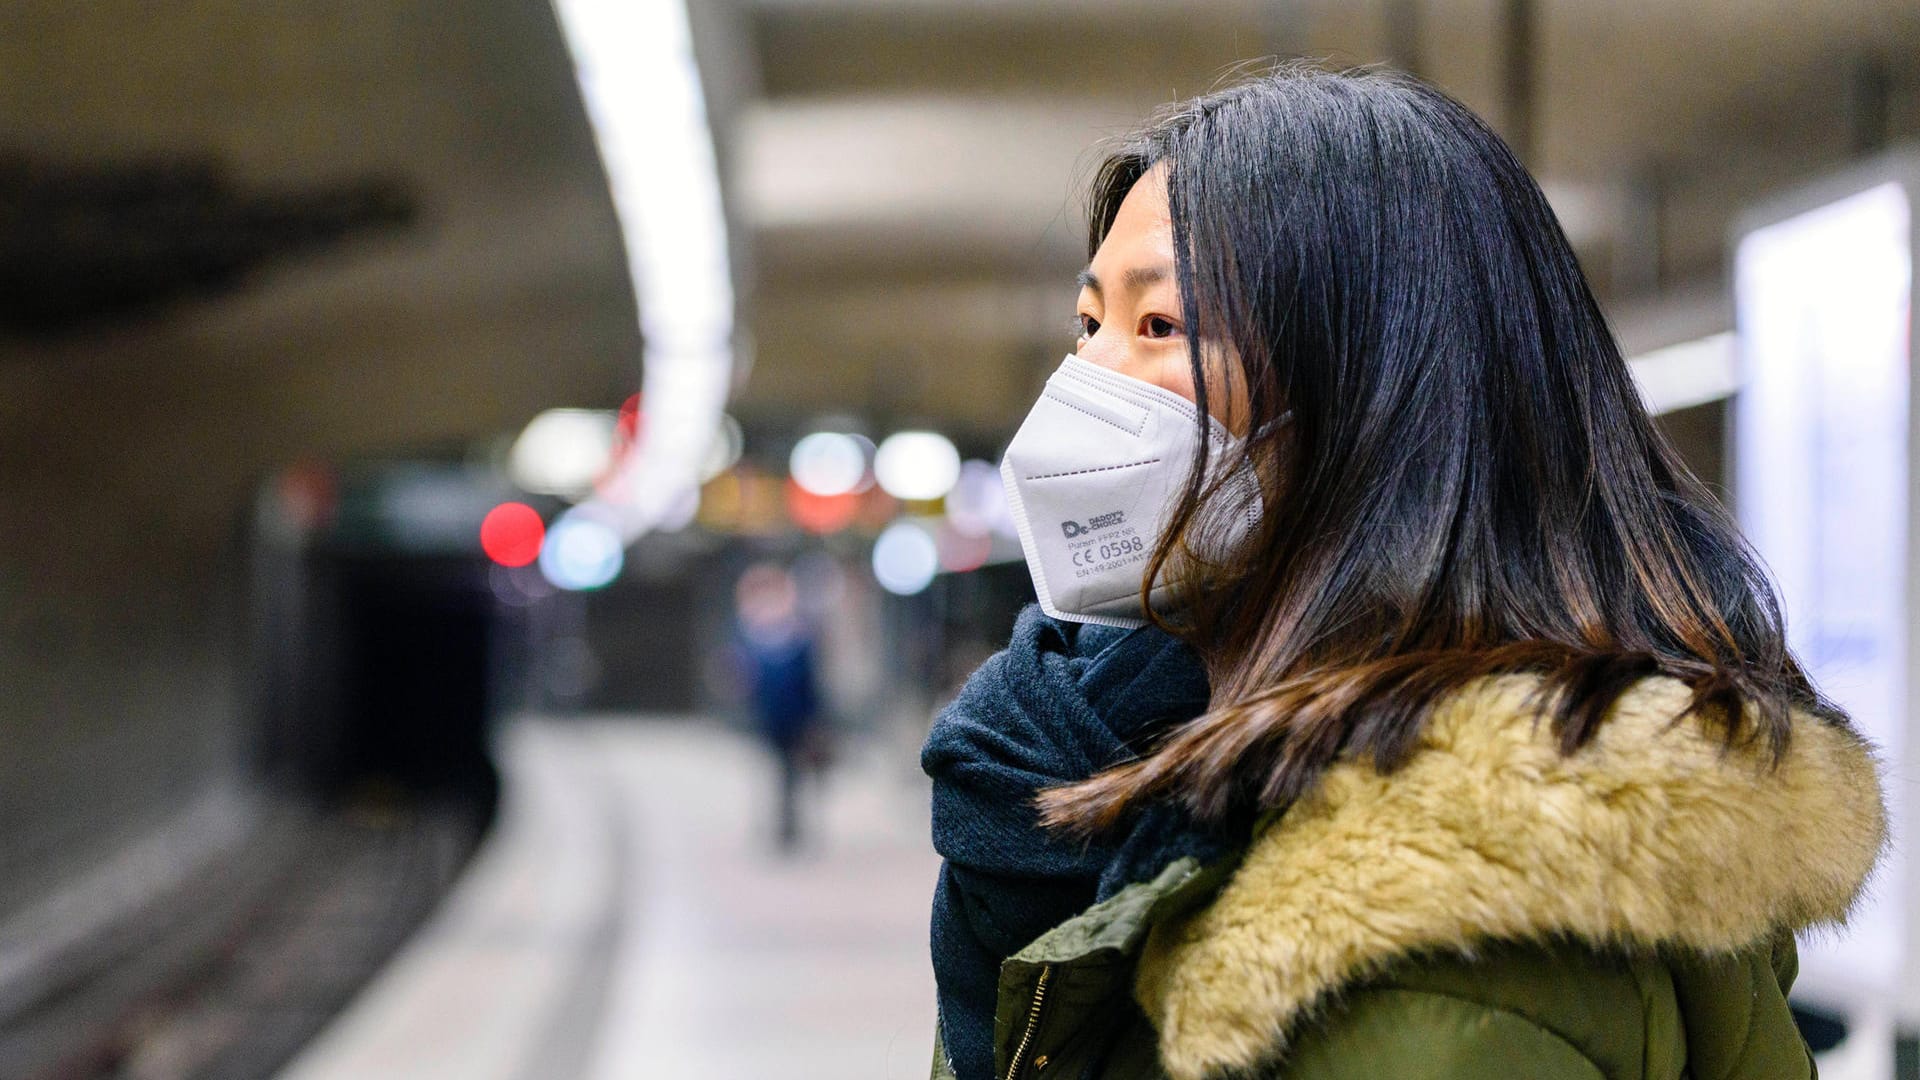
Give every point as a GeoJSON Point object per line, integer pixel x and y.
{"type": "Point", "coordinates": [1059, 704]}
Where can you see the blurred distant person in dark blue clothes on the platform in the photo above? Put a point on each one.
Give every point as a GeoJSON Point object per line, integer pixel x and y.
{"type": "Point", "coordinates": [777, 658]}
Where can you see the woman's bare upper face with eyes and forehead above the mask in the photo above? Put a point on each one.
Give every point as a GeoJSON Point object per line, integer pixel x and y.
{"type": "Point", "coordinates": [1130, 308]}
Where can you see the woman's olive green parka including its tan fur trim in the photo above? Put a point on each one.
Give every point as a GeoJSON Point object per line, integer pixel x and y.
{"type": "Point", "coordinates": [1493, 910]}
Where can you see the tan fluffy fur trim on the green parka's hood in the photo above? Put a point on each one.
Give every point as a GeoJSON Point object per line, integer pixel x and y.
{"type": "Point", "coordinates": [1652, 835]}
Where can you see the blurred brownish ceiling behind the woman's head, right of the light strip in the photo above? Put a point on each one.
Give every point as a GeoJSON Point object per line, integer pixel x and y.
{"type": "Point", "coordinates": [909, 172]}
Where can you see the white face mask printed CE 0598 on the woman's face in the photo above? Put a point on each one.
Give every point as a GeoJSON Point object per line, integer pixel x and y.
{"type": "Point", "coordinates": [1093, 478]}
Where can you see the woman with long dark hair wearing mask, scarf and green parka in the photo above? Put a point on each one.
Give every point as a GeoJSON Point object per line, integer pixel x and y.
{"type": "Point", "coordinates": [1462, 739]}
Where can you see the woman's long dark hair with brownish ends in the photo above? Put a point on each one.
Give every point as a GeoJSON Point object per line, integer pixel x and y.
{"type": "Point", "coordinates": [1458, 472]}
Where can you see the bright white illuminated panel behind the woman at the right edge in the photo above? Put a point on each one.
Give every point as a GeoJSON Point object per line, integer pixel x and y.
{"type": "Point", "coordinates": [1823, 487]}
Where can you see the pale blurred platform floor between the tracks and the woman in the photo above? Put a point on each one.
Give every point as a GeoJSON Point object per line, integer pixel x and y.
{"type": "Point", "coordinates": [629, 918]}
